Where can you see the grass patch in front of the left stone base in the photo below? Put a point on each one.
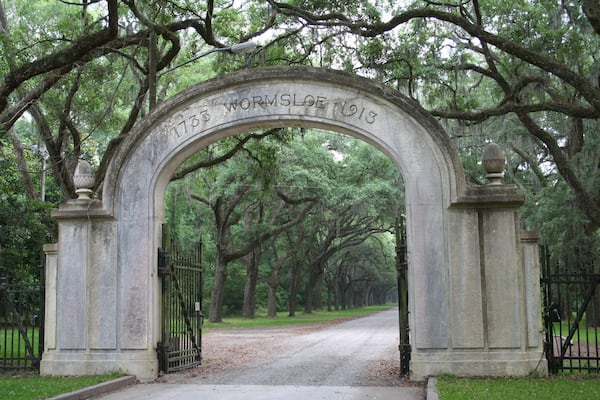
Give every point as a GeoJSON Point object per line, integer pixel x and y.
{"type": "Point", "coordinates": [33, 387]}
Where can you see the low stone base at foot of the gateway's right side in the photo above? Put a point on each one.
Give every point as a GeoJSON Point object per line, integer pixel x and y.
{"type": "Point", "coordinates": [499, 363]}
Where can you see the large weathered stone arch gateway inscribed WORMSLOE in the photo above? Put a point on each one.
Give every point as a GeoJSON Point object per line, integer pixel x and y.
{"type": "Point", "coordinates": [474, 288]}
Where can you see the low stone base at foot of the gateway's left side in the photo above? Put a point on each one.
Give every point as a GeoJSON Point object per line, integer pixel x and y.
{"type": "Point", "coordinates": [142, 364]}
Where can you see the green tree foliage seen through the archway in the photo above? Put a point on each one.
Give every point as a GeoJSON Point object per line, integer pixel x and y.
{"type": "Point", "coordinates": [347, 179]}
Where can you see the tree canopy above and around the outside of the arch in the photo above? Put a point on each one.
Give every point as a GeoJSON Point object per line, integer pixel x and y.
{"type": "Point", "coordinates": [77, 76]}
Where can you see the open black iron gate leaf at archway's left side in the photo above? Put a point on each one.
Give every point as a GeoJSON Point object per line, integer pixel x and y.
{"type": "Point", "coordinates": [181, 277]}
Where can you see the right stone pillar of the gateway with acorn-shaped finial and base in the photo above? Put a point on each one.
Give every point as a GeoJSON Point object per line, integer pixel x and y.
{"type": "Point", "coordinates": [494, 298]}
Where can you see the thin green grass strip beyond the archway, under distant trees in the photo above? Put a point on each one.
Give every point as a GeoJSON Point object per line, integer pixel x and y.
{"type": "Point", "coordinates": [261, 320]}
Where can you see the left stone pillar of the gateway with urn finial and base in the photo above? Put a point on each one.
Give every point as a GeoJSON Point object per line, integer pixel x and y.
{"type": "Point", "coordinates": [82, 296]}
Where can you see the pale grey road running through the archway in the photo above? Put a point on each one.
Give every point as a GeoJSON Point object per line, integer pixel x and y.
{"type": "Point", "coordinates": [341, 354]}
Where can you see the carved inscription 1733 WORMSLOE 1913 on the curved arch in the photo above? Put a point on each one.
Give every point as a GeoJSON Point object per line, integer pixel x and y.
{"type": "Point", "coordinates": [197, 119]}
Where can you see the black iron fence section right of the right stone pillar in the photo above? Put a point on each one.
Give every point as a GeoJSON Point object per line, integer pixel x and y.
{"type": "Point", "coordinates": [571, 317]}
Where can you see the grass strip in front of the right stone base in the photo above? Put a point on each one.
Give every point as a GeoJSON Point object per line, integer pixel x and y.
{"type": "Point", "coordinates": [564, 387]}
